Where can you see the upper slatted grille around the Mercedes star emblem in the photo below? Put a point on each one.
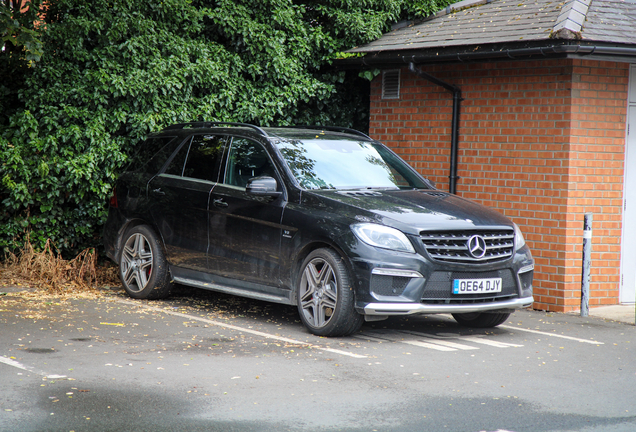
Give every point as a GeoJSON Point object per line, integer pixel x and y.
{"type": "Point", "coordinates": [452, 246]}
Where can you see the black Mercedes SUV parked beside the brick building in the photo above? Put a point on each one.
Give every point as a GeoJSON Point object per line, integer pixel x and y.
{"type": "Point", "coordinates": [324, 218]}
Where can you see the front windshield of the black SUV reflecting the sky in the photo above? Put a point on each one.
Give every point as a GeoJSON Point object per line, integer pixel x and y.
{"type": "Point", "coordinates": [327, 163]}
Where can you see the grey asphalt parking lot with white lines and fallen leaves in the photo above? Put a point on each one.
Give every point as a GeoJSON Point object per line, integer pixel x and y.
{"type": "Point", "coordinates": [203, 361]}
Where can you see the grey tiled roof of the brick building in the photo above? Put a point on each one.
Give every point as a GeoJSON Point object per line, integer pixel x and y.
{"type": "Point", "coordinates": [473, 22]}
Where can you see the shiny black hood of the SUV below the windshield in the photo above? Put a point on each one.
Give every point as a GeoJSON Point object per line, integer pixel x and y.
{"type": "Point", "coordinates": [410, 211]}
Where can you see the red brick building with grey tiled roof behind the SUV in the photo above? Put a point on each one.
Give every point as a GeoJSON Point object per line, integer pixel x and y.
{"type": "Point", "coordinates": [544, 94]}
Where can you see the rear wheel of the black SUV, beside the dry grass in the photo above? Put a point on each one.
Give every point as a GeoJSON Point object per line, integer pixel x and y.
{"type": "Point", "coordinates": [143, 269]}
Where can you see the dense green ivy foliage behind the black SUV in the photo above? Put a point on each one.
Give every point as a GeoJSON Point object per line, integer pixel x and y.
{"type": "Point", "coordinates": [111, 71]}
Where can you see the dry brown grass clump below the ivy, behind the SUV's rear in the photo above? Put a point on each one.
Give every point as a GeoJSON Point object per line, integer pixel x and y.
{"type": "Point", "coordinates": [47, 270]}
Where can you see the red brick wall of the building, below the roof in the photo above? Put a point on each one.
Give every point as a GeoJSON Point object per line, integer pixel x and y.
{"type": "Point", "coordinates": [541, 141]}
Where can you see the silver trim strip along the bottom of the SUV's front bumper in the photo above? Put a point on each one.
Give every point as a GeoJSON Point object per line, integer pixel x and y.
{"type": "Point", "coordinates": [414, 308]}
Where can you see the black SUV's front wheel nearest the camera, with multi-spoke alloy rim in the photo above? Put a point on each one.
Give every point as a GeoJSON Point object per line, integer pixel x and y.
{"type": "Point", "coordinates": [326, 297]}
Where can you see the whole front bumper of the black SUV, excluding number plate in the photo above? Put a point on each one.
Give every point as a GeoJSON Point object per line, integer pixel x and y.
{"type": "Point", "coordinates": [391, 283]}
